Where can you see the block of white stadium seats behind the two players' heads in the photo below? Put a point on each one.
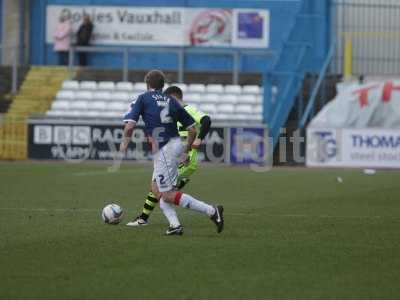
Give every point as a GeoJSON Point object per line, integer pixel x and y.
{"type": "Point", "coordinates": [106, 99]}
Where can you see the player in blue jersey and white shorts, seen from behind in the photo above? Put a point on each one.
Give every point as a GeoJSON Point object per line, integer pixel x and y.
{"type": "Point", "coordinates": [160, 114]}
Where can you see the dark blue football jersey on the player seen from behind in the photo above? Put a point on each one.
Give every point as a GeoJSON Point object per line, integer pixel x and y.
{"type": "Point", "coordinates": [160, 113]}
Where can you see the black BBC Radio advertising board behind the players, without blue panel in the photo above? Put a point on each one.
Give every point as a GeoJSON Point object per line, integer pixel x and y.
{"type": "Point", "coordinates": [78, 142]}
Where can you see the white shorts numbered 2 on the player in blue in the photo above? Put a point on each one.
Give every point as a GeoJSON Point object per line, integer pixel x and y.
{"type": "Point", "coordinates": [166, 162]}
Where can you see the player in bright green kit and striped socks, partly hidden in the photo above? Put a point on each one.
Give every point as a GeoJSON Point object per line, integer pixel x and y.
{"type": "Point", "coordinates": [203, 124]}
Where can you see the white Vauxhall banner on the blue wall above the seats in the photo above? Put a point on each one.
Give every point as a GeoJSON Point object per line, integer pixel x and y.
{"type": "Point", "coordinates": [167, 26]}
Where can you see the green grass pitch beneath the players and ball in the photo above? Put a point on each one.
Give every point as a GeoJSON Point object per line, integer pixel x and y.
{"type": "Point", "coordinates": [289, 234]}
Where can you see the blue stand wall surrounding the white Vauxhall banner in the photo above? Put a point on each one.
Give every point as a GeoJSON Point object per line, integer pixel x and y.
{"type": "Point", "coordinates": [282, 19]}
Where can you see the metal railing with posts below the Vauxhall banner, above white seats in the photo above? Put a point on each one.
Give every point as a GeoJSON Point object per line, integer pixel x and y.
{"type": "Point", "coordinates": [181, 52]}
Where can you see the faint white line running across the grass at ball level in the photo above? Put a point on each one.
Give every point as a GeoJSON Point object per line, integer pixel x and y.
{"type": "Point", "coordinates": [229, 214]}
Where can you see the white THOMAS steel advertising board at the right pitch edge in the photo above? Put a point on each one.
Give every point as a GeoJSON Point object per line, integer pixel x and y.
{"type": "Point", "coordinates": [364, 148]}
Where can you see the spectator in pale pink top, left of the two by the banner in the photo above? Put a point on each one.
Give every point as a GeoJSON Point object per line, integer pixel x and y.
{"type": "Point", "coordinates": [62, 39]}
